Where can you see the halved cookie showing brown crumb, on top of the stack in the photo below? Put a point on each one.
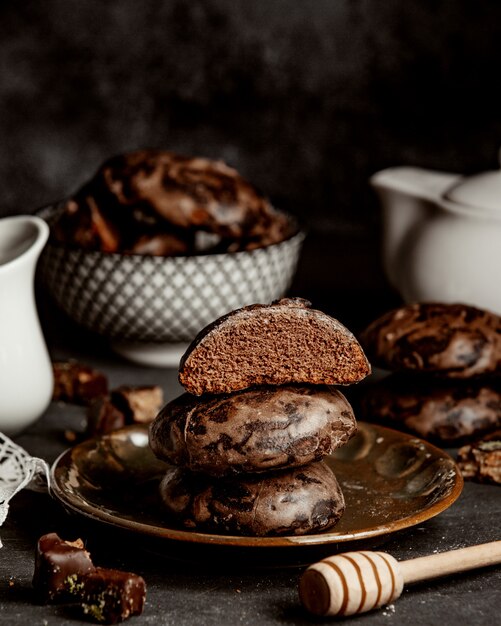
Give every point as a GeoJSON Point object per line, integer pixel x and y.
{"type": "Point", "coordinates": [276, 344]}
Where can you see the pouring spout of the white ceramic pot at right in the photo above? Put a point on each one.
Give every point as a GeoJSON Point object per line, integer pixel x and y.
{"type": "Point", "coordinates": [414, 181]}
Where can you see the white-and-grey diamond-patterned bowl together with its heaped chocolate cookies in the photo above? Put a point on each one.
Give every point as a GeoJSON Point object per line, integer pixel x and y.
{"type": "Point", "coordinates": [157, 245]}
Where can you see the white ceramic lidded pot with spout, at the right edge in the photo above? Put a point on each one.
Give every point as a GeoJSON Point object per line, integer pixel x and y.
{"type": "Point", "coordinates": [442, 235]}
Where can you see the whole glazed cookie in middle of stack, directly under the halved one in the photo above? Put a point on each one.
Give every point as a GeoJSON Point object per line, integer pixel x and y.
{"type": "Point", "coordinates": [254, 430]}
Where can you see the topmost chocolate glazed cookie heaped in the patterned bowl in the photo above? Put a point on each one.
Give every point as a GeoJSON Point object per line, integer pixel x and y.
{"type": "Point", "coordinates": [192, 192]}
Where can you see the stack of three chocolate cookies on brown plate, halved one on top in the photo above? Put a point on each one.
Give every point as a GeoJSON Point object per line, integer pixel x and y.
{"type": "Point", "coordinates": [259, 414]}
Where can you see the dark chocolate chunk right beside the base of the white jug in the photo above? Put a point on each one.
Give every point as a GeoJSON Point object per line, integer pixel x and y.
{"type": "Point", "coordinates": [77, 383]}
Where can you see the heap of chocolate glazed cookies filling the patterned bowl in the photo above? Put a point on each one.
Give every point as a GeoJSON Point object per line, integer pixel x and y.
{"type": "Point", "coordinates": [152, 202]}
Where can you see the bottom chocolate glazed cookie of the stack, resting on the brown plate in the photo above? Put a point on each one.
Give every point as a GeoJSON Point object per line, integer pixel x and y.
{"type": "Point", "coordinates": [293, 502]}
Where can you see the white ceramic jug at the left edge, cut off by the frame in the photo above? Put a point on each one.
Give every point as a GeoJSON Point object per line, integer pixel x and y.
{"type": "Point", "coordinates": [26, 378]}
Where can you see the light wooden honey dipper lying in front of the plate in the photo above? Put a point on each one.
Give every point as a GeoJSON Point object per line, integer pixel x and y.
{"type": "Point", "coordinates": [356, 582]}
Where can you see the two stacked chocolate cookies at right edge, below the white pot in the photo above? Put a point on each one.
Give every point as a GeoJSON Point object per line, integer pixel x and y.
{"type": "Point", "coordinates": [445, 361]}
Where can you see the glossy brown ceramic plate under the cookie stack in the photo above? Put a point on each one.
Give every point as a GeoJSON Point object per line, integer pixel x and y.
{"type": "Point", "coordinates": [390, 480]}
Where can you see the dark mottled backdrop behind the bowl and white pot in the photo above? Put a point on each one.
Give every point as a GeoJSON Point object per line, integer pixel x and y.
{"type": "Point", "coordinates": [306, 98]}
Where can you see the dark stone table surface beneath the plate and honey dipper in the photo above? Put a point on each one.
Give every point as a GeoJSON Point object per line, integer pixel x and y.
{"type": "Point", "coordinates": [189, 586]}
